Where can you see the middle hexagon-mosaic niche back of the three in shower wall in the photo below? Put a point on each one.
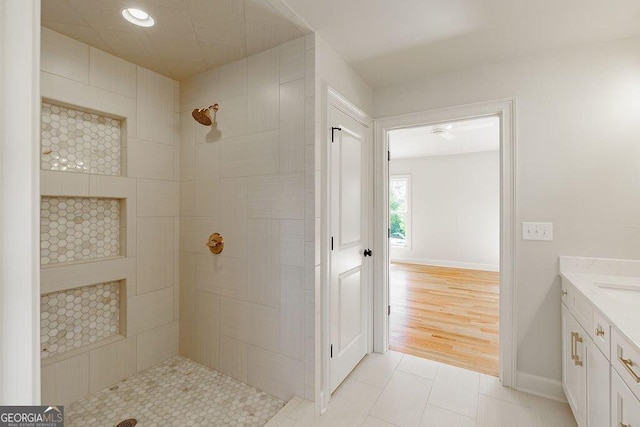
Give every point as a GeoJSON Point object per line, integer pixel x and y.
{"type": "Point", "coordinates": [78, 228]}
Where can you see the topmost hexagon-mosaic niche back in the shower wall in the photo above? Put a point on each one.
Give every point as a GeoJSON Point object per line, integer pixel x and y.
{"type": "Point", "coordinates": [76, 141]}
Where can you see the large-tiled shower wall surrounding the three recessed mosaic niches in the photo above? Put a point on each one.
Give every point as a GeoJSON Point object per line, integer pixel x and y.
{"type": "Point", "coordinates": [76, 74]}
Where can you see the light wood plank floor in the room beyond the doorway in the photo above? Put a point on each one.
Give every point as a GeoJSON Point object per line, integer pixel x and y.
{"type": "Point", "coordinates": [445, 314]}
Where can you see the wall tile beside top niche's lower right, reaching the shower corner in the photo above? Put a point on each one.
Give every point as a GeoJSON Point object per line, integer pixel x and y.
{"type": "Point", "coordinates": [149, 160]}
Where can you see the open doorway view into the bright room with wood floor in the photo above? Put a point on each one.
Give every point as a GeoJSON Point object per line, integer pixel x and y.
{"type": "Point", "coordinates": [444, 244]}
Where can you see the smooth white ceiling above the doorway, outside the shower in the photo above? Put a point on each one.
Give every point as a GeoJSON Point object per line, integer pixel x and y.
{"type": "Point", "coordinates": [388, 42]}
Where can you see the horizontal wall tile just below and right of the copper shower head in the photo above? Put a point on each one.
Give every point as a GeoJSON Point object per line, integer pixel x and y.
{"type": "Point", "coordinates": [254, 154]}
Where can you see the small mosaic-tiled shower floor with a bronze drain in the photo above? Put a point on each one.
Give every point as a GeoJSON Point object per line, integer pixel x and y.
{"type": "Point", "coordinates": [177, 392]}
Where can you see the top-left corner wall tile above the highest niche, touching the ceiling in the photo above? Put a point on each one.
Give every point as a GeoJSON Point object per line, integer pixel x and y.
{"type": "Point", "coordinates": [64, 56]}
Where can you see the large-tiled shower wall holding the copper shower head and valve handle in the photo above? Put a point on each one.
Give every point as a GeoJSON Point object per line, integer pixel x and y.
{"type": "Point", "coordinates": [246, 312]}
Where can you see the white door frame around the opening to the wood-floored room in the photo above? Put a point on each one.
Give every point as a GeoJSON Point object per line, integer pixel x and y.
{"type": "Point", "coordinates": [505, 109]}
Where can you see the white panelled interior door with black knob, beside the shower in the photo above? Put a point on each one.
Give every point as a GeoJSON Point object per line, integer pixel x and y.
{"type": "Point", "coordinates": [349, 224]}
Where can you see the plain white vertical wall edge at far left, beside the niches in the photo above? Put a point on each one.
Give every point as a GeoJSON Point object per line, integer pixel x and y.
{"type": "Point", "coordinates": [19, 205]}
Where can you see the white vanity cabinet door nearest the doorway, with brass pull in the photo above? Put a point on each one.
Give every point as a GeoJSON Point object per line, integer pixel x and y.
{"type": "Point", "coordinates": [574, 378]}
